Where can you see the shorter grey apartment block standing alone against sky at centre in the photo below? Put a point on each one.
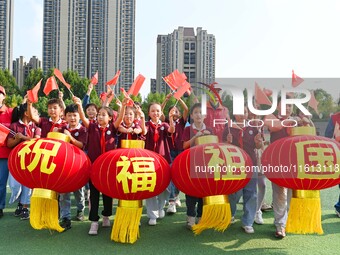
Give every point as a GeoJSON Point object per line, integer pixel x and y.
{"type": "Point", "coordinates": [193, 54]}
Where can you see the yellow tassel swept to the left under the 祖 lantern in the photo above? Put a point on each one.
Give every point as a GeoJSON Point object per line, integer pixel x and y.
{"type": "Point", "coordinates": [216, 214]}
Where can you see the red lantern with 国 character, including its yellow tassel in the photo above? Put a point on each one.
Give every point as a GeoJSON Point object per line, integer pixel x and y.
{"type": "Point", "coordinates": [306, 163]}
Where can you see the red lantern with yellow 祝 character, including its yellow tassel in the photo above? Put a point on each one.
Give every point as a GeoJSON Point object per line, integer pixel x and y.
{"type": "Point", "coordinates": [49, 165]}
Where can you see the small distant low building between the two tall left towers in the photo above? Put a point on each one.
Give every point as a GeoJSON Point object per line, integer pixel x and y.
{"type": "Point", "coordinates": [21, 69]}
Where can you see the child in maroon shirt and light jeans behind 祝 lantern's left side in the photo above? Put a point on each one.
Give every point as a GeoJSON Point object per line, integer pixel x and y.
{"type": "Point", "coordinates": [25, 130]}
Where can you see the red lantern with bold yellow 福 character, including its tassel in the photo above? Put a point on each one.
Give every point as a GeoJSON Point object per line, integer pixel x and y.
{"type": "Point", "coordinates": [130, 174]}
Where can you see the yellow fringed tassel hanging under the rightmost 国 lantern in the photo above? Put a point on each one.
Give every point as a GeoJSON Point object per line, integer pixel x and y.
{"type": "Point", "coordinates": [304, 216]}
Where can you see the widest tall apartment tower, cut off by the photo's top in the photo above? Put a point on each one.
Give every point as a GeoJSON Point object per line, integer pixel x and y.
{"type": "Point", "coordinates": [90, 35]}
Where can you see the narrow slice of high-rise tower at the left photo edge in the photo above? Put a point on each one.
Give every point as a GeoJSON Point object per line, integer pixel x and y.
{"type": "Point", "coordinates": [6, 34]}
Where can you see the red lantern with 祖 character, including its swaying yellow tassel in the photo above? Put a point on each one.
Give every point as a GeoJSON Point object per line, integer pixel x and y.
{"type": "Point", "coordinates": [210, 170]}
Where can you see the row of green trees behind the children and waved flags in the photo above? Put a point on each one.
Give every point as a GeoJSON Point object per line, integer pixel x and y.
{"type": "Point", "coordinates": [79, 88]}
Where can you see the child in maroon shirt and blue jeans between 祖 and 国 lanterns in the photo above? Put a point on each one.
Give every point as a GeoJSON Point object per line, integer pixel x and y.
{"type": "Point", "coordinates": [248, 138]}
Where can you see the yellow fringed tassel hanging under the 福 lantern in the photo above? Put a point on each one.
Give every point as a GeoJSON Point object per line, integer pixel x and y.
{"type": "Point", "coordinates": [126, 225]}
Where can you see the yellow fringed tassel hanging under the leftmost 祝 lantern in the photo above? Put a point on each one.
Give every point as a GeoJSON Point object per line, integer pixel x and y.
{"type": "Point", "coordinates": [44, 210]}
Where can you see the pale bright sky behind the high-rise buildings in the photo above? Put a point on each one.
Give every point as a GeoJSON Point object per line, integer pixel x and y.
{"type": "Point", "coordinates": [254, 38]}
